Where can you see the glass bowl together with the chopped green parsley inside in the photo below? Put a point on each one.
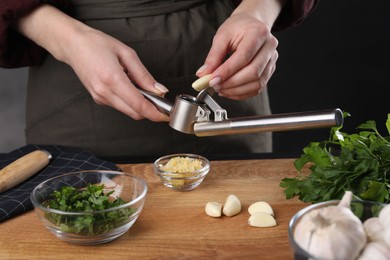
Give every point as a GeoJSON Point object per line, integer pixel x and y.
{"type": "Point", "coordinates": [89, 207]}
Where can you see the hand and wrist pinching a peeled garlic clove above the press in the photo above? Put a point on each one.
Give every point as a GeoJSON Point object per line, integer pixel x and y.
{"type": "Point", "coordinates": [246, 38]}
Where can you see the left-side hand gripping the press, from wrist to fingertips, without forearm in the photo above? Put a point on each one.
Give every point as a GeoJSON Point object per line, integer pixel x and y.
{"type": "Point", "coordinates": [107, 67]}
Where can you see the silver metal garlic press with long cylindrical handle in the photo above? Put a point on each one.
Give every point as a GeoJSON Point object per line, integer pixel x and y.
{"type": "Point", "coordinates": [203, 116]}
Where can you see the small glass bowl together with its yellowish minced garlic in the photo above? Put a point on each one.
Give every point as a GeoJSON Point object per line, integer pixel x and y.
{"type": "Point", "coordinates": [182, 172]}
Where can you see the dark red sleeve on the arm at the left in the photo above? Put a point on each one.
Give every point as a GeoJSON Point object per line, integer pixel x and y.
{"type": "Point", "coordinates": [15, 49]}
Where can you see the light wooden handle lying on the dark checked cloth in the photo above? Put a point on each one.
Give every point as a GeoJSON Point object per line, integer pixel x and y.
{"type": "Point", "coordinates": [23, 168]}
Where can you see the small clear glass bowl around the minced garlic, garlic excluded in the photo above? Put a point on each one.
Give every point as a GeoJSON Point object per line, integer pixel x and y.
{"type": "Point", "coordinates": [181, 181]}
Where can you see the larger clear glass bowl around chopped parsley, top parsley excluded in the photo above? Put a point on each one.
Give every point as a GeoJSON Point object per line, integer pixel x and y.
{"type": "Point", "coordinates": [100, 226]}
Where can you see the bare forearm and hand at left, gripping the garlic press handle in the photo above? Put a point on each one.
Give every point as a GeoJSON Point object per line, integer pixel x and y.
{"type": "Point", "coordinates": [105, 66]}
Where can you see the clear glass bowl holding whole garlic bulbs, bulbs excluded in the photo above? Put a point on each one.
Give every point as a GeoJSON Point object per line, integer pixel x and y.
{"type": "Point", "coordinates": [362, 209]}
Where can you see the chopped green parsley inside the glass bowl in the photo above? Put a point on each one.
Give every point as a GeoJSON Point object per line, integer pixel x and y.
{"type": "Point", "coordinates": [91, 199]}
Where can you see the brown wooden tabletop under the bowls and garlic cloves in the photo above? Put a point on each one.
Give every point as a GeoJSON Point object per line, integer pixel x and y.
{"type": "Point", "coordinates": [174, 225]}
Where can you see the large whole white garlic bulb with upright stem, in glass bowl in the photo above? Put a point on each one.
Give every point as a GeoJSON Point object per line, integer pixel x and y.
{"type": "Point", "coordinates": [331, 232]}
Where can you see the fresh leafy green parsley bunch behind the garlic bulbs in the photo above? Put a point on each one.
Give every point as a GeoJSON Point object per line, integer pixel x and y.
{"type": "Point", "coordinates": [358, 162]}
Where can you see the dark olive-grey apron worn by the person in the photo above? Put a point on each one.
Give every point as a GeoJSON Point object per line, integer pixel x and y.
{"type": "Point", "coordinates": [172, 39]}
